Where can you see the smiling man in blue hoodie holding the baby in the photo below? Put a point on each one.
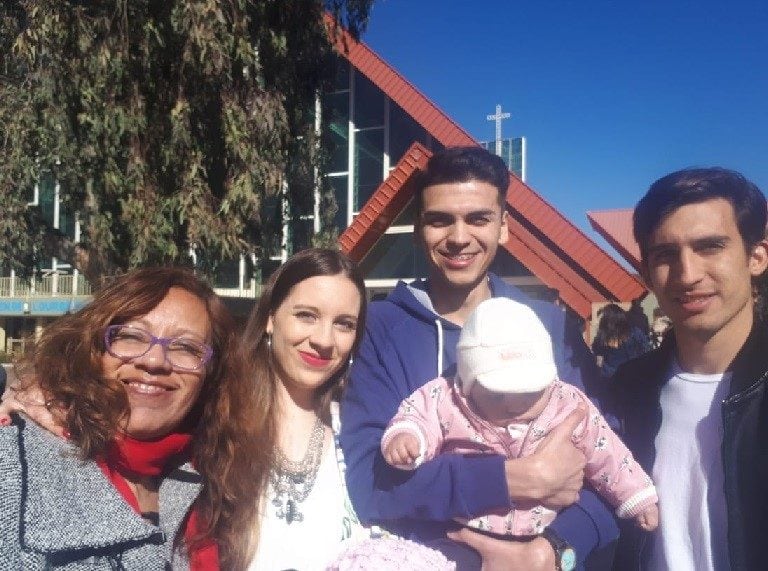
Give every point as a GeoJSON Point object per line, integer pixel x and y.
{"type": "Point", "coordinates": [410, 338]}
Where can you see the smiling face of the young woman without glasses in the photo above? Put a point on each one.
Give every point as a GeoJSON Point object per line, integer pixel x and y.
{"type": "Point", "coordinates": [313, 331]}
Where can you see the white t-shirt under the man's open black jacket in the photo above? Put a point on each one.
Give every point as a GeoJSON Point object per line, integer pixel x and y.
{"type": "Point", "coordinates": [689, 478]}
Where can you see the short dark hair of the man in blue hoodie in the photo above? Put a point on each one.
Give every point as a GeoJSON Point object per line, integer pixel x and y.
{"type": "Point", "coordinates": [462, 164]}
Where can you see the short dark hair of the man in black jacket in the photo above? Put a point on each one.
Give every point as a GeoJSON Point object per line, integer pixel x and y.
{"type": "Point", "coordinates": [690, 186]}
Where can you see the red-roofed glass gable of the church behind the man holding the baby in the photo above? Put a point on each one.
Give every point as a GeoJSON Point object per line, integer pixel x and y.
{"type": "Point", "coordinates": [545, 254]}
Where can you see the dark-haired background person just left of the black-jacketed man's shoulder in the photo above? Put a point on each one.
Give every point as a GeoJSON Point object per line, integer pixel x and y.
{"type": "Point", "coordinates": [617, 340]}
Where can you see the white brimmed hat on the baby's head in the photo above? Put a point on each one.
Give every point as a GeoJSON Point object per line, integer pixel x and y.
{"type": "Point", "coordinates": [505, 348]}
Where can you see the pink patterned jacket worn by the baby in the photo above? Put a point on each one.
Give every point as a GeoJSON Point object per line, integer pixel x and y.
{"type": "Point", "coordinates": [439, 416]}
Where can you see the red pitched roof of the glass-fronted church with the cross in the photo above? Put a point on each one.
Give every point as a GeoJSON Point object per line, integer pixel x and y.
{"type": "Point", "coordinates": [542, 239]}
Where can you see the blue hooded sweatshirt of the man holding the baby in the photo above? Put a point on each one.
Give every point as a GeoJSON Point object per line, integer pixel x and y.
{"type": "Point", "coordinates": [405, 345]}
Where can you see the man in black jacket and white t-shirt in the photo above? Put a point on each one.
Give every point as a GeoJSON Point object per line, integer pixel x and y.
{"type": "Point", "coordinates": [694, 411]}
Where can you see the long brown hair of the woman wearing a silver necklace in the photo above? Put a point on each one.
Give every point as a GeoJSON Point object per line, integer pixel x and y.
{"type": "Point", "coordinates": [301, 266]}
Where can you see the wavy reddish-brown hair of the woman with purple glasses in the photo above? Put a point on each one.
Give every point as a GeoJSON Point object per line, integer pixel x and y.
{"type": "Point", "coordinates": [66, 364]}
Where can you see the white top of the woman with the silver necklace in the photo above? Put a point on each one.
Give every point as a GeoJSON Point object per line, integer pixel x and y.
{"type": "Point", "coordinates": [315, 541]}
